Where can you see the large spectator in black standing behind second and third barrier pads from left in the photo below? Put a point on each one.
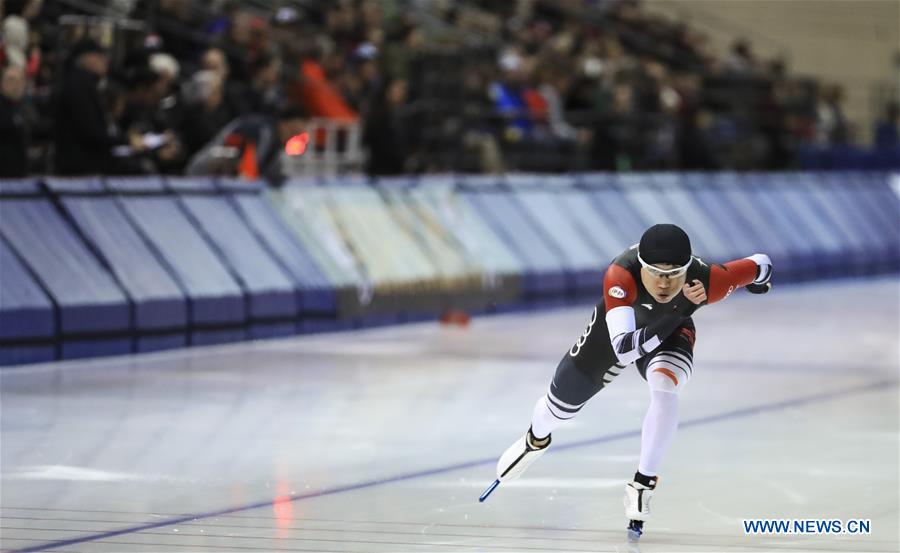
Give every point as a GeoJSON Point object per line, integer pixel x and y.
{"type": "Point", "coordinates": [83, 144]}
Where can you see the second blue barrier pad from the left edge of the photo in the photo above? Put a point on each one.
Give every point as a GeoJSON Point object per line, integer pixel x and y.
{"type": "Point", "coordinates": [93, 311]}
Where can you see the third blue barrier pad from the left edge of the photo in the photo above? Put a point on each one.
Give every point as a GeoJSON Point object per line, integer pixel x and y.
{"type": "Point", "coordinates": [159, 304]}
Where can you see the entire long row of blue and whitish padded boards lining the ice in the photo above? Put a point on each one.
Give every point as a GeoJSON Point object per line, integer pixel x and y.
{"type": "Point", "coordinates": [104, 266]}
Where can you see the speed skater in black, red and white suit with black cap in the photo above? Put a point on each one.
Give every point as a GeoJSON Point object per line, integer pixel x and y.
{"type": "Point", "coordinates": [650, 293]}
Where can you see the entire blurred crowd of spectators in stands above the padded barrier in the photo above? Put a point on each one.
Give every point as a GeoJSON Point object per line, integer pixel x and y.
{"type": "Point", "coordinates": [476, 85]}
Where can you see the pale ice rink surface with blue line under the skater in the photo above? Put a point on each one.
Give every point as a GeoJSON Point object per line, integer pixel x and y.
{"type": "Point", "coordinates": [382, 440]}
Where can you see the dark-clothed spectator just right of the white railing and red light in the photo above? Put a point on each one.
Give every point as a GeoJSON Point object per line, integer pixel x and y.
{"type": "Point", "coordinates": [385, 131]}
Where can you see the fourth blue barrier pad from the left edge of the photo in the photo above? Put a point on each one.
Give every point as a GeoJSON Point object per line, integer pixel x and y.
{"type": "Point", "coordinates": [215, 299]}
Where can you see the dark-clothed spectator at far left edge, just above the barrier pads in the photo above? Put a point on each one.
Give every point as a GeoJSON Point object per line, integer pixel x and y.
{"type": "Point", "coordinates": [13, 125]}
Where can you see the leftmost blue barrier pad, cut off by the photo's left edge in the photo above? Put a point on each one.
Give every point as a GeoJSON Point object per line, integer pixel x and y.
{"type": "Point", "coordinates": [27, 319]}
